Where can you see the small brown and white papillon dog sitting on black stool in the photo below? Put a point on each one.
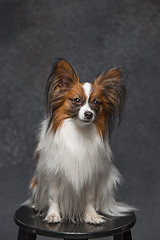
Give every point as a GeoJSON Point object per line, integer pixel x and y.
{"type": "Point", "coordinates": [75, 178]}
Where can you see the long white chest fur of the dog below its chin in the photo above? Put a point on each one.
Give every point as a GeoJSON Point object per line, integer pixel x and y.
{"type": "Point", "coordinates": [76, 152]}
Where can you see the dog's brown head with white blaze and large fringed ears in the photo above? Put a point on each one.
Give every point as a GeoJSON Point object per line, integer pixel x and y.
{"type": "Point", "coordinates": [99, 103]}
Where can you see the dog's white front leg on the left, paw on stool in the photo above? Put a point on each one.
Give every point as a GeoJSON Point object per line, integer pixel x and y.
{"type": "Point", "coordinates": [53, 214]}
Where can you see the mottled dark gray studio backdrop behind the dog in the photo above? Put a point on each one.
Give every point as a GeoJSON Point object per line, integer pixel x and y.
{"type": "Point", "coordinates": [93, 35]}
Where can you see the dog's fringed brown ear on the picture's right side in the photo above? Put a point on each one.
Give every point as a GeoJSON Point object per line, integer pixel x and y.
{"type": "Point", "coordinates": [113, 89]}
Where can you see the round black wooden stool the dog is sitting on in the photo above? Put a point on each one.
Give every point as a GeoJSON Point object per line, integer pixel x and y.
{"type": "Point", "coordinates": [31, 225]}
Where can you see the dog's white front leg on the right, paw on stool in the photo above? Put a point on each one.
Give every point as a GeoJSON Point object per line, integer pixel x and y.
{"type": "Point", "coordinates": [91, 216]}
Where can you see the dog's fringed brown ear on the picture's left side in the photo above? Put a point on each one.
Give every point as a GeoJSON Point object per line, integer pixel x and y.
{"type": "Point", "coordinates": [61, 79]}
